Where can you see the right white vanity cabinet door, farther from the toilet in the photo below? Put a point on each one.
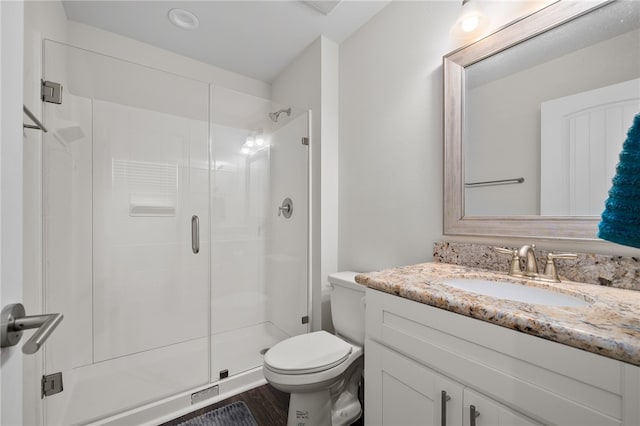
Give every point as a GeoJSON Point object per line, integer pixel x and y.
{"type": "Point", "coordinates": [490, 413]}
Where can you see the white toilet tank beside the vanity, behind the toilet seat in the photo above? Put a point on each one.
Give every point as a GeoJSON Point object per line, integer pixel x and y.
{"type": "Point", "coordinates": [347, 306]}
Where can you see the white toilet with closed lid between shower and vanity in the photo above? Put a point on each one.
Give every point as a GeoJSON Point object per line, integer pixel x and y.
{"type": "Point", "coordinates": [322, 371]}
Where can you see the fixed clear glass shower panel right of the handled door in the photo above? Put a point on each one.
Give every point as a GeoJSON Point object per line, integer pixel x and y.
{"type": "Point", "coordinates": [259, 259]}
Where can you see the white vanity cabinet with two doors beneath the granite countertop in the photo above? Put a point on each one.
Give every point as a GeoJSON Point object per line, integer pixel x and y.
{"type": "Point", "coordinates": [414, 352]}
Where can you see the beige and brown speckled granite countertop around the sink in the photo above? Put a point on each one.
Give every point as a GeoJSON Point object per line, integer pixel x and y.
{"type": "Point", "coordinates": [608, 326]}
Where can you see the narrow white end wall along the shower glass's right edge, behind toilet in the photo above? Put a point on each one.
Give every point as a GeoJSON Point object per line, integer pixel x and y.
{"type": "Point", "coordinates": [310, 82]}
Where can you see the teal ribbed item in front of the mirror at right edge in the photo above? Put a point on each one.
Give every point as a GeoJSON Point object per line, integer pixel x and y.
{"type": "Point", "coordinates": [621, 217]}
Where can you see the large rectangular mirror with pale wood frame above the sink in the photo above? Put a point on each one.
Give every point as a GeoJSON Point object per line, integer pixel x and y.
{"type": "Point", "coordinates": [498, 94]}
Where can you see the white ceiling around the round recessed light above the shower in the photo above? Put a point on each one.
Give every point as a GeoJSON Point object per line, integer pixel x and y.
{"type": "Point", "coordinates": [254, 38]}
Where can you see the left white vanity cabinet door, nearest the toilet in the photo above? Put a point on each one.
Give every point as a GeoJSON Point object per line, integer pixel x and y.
{"type": "Point", "coordinates": [401, 392]}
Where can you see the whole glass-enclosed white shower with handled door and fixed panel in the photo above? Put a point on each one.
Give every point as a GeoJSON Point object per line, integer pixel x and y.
{"type": "Point", "coordinates": [162, 242]}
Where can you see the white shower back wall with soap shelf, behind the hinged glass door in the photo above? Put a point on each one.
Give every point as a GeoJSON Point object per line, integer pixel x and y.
{"type": "Point", "coordinates": [145, 275]}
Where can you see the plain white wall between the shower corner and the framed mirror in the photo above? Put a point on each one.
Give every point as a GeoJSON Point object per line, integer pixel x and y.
{"type": "Point", "coordinates": [391, 135]}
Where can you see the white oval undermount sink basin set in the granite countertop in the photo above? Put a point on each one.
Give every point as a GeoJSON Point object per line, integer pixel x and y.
{"type": "Point", "coordinates": [515, 292]}
